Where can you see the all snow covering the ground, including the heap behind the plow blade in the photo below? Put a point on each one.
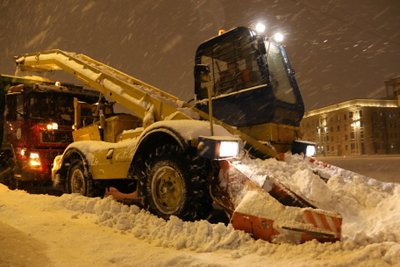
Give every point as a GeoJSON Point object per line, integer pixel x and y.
{"type": "Point", "coordinates": [71, 230]}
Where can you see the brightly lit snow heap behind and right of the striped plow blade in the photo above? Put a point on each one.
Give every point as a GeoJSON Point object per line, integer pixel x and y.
{"type": "Point", "coordinates": [369, 208]}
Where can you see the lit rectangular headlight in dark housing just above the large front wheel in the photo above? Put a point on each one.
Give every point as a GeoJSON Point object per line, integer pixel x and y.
{"type": "Point", "coordinates": [214, 147]}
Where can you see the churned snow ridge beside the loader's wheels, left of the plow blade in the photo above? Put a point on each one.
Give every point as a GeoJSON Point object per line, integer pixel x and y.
{"type": "Point", "coordinates": [199, 236]}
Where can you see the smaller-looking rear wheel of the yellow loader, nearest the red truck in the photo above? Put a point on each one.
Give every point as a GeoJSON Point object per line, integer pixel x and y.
{"type": "Point", "coordinates": [79, 180]}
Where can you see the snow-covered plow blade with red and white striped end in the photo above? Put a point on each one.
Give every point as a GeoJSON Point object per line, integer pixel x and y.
{"type": "Point", "coordinates": [272, 212]}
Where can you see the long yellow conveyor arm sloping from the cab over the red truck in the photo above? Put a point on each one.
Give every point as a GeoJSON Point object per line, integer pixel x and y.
{"type": "Point", "coordinates": [135, 95]}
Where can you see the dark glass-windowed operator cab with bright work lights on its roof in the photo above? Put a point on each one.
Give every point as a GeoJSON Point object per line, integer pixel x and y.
{"type": "Point", "coordinates": [250, 80]}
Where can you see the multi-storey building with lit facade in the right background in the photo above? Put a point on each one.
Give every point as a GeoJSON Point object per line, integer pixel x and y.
{"type": "Point", "coordinates": [358, 126]}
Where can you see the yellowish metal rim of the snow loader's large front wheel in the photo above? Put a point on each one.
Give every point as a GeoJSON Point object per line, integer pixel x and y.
{"type": "Point", "coordinates": [167, 189]}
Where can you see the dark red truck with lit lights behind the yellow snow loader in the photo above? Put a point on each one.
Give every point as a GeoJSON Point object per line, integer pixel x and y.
{"type": "Point", "coordinates": [37, 120]}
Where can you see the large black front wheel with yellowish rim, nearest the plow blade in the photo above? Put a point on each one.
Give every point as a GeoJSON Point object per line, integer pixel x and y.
{"type": "Point", "coordinates": [175, 184]}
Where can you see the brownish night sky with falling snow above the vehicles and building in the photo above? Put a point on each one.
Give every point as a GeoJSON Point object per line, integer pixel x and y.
{"type": "Point", "coordinates": [340, 49]}
